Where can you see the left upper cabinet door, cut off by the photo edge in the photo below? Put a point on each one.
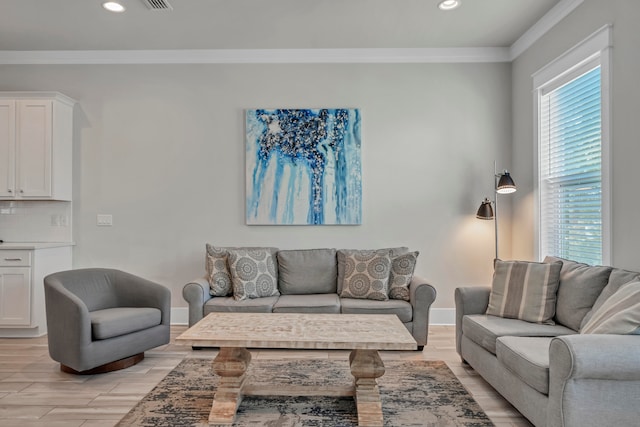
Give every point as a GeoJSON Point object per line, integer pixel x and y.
{"type": "Point", "coordinates": [7, 148]}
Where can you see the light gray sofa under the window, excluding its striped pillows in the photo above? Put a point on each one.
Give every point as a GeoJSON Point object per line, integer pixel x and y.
{"type": "Point", "coordinates": [552, 374]}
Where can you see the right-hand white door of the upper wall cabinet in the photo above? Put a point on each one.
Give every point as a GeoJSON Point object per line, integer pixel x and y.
{"type": "Point", "coordinates": [33, 148]}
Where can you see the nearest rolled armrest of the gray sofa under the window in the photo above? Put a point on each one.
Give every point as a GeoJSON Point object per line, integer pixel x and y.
{"type": "Point", "coordinates": [594, 380]}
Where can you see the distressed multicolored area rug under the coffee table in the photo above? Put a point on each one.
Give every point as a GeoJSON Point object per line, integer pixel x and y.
{"type": "Point", "coordinates": [413, 393]}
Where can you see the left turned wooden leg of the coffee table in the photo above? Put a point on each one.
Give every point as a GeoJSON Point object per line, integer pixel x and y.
{"type": "Point", "coordinates": [231, 365]}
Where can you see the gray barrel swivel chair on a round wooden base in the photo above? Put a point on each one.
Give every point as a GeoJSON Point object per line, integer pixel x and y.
{"type": "Point", "coordinates": [101, 319]}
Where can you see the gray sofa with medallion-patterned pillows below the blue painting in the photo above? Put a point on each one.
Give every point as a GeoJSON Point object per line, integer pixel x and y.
{"type": "Point", "coordinates": [323, 280]}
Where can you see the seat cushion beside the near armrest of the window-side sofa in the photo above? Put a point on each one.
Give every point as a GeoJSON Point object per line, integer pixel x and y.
{"type": "Point", "coordinates": [527, 358]}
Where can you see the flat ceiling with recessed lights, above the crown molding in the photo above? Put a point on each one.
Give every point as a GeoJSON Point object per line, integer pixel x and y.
{"type": "Point", "coordinates": [27, 25]}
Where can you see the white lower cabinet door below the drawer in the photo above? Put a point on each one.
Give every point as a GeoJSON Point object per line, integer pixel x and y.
{"type": "Point", "coordinates": [15, 296]}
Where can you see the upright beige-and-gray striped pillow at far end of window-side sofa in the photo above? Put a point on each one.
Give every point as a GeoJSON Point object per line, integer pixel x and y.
{"type": "Point", "coordinates": [525, 290]}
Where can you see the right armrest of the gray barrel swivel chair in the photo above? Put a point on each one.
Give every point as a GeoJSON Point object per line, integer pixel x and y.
{"type": "Point", "coordinates": [135, 291]}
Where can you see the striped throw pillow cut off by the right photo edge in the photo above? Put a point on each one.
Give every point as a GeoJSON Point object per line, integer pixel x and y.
{"type": "Point", "coordinates": [619, 314]}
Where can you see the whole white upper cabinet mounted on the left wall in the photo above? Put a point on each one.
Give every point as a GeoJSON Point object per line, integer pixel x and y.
{"type": "Point", "coordinates": [36, 133]}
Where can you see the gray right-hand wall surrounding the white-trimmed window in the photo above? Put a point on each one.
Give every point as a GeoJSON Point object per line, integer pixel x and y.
{"type": "Point", "coordinates": [591, 15]}
